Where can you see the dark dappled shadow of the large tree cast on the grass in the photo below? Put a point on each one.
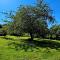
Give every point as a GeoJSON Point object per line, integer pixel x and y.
{"type": "Point", "coordinates": [31, 44]}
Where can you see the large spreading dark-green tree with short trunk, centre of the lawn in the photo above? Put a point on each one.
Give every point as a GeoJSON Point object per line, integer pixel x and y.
{"type": "Point", "coordinates": [33, 19]}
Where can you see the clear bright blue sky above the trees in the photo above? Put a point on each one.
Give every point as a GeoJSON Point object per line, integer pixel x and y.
{"type": "Point", "coordinates": [8, 5]}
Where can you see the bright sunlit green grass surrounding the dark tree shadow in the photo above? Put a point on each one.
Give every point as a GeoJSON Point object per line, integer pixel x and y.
{"type": "Point", "coordinates": [10, 52]}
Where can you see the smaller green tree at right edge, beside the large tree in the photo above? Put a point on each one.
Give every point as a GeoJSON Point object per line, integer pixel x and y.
{"type": "Point", "coordinates": [55, 30]}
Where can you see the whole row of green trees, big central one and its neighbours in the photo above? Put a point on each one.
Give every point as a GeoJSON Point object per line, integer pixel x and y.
{"type": "Point", "coordinates": [32, 20]}
